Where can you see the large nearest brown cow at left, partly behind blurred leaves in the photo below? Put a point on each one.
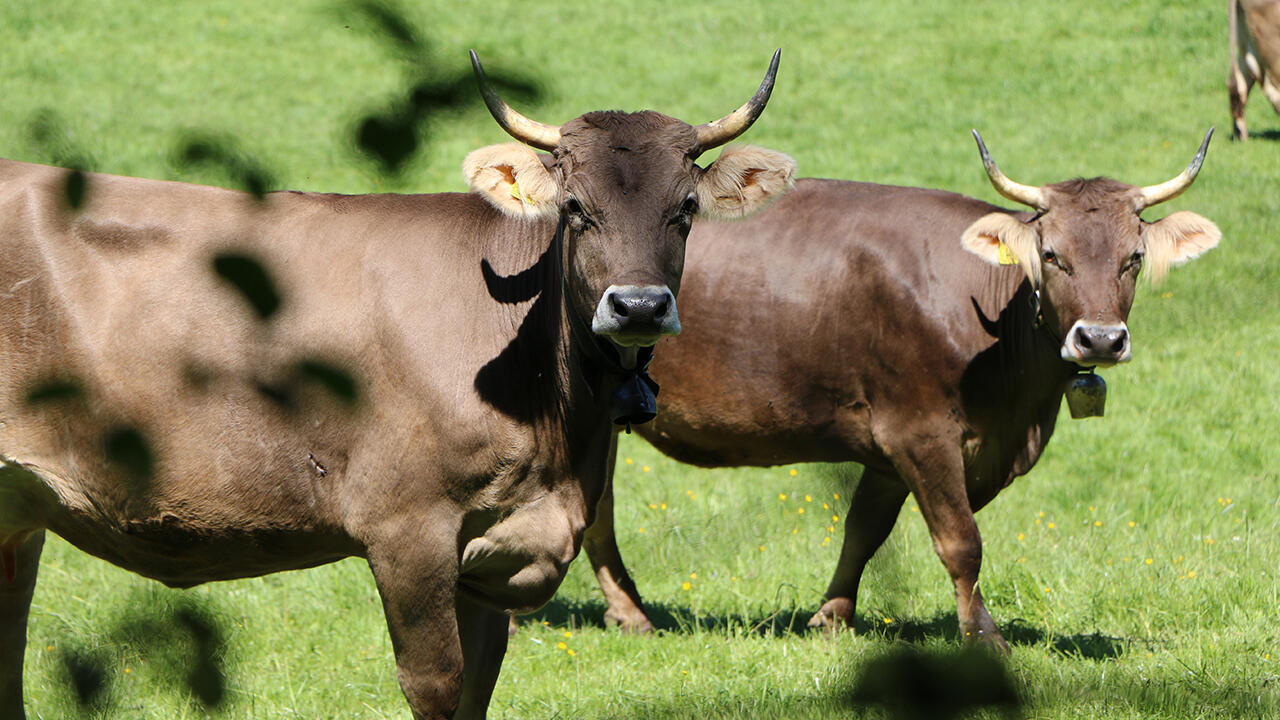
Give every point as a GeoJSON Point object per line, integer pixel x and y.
{"type": "Point", "coordinates": [487, 332]}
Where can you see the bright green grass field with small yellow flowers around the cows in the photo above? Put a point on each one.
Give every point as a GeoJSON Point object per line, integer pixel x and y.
{"type": "Point", "coordinates": [1133, 571]}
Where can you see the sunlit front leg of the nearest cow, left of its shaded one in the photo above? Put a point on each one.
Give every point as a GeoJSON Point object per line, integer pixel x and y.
{"type": "Point", "coordinates": [419, 598]}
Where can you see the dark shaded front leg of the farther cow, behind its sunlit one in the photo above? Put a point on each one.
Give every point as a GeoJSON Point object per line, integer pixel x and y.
{"type": "Point", "coordinates": [872, 514]}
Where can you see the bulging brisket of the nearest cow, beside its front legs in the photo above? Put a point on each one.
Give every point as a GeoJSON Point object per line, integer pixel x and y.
{"type": "Point", "coordinates": [522, 560]}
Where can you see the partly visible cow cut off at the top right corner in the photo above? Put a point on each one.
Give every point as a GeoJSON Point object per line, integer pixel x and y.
{"type": "Point", "coordinates": [1255, 38]}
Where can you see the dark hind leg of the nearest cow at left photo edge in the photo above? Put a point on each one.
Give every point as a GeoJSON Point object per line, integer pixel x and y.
{"type": "Point", "coordinates": [15, 608]}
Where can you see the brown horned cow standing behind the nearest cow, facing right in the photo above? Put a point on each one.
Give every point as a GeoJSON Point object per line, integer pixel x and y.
{"type": "Point", "coordinates": [893, 327]}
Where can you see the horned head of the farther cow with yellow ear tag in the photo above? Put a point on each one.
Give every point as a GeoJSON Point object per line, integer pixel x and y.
{"type": "Point", "coordinates": [1085, 249]}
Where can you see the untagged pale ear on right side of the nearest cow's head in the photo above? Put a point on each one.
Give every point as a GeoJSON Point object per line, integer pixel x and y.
{"type": "Point", "coordinates": [743, 180]}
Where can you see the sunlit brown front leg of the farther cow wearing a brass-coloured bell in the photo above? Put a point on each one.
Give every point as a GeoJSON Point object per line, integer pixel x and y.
{"type": "Point", "coordinates": [932, 468]}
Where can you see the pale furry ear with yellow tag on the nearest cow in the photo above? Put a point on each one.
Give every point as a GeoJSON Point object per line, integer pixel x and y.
{"type": "Point", "coordinates": [514, 180]}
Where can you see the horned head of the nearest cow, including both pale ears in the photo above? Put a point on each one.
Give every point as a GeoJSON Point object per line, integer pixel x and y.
{"type": "Point", "coordinates": [625, 189]}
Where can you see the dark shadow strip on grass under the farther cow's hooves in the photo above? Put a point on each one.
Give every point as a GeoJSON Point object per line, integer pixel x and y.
{"type": "Point", "coordinates": [796, 622]}
